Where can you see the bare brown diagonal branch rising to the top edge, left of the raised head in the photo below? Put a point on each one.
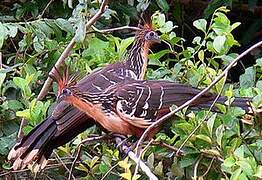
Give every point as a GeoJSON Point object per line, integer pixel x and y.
{"type": "Point", "coordinates": [68, 49]}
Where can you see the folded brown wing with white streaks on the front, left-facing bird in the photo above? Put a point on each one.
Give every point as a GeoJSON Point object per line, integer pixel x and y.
{"type": "Point", "coordinates": [140, 102]}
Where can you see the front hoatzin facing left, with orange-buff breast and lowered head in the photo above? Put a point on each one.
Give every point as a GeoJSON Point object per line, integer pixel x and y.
{"type": "Point", "coordinates": [131, 106]}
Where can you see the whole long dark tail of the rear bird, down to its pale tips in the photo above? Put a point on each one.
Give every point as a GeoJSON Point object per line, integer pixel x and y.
{"type": "Point", "coordinates": [38, 145]}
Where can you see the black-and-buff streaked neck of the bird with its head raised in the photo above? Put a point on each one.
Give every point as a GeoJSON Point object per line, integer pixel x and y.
{"type": "Point", "coordinates": [137, 58]}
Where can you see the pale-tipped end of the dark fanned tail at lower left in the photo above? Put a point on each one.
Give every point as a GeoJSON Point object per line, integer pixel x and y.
{"type": "Point", "coordinates": [30, 148]}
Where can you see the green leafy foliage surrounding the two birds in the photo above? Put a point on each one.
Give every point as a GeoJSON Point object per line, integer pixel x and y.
{"type": "Point", "coordinates": [222, 147]}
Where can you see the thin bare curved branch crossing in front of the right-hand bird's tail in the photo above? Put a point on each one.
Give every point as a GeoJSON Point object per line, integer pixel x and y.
{"type": "Point", "coordinates": [218, 78]}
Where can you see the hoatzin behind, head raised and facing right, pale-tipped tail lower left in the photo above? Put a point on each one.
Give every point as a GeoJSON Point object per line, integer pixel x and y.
{"type": "Point", "coordinates": [66, 121]}
